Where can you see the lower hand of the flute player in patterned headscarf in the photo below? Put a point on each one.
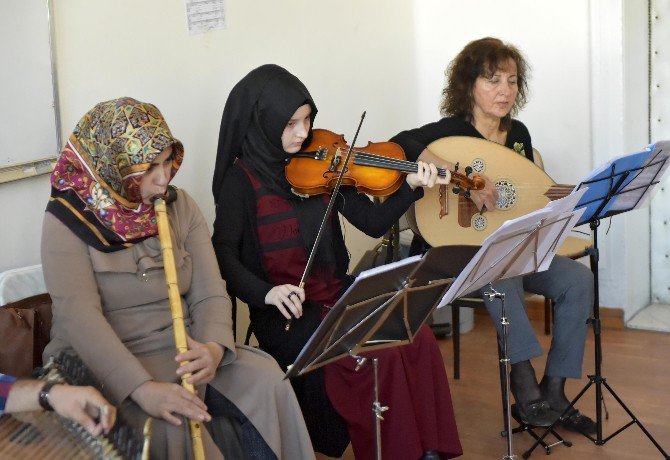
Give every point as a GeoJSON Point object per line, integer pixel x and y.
{"type": "Point", "coordinates": [166, 400]}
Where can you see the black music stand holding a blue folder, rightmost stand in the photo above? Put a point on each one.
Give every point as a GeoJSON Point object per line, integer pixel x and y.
{"type": "Point", "coordinates": [621, 185]}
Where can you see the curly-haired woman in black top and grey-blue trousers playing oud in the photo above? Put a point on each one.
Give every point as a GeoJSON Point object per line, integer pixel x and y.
{"type": "Point", "coordinates": [487, 85]}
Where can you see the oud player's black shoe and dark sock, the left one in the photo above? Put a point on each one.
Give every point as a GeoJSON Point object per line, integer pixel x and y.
{"type": "Point", "coordinates": [531, 408]}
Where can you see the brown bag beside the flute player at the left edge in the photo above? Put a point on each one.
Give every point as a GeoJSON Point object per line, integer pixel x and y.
{"type": "Point", "coordinates": [24, 332]}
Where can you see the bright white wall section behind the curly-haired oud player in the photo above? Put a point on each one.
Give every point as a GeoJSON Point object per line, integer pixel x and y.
{"type": "Point", "coordinates": [554, 37]}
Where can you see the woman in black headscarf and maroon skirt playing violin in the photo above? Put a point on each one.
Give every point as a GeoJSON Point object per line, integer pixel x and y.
{"type": "Point", "coordinates": [263, 235]}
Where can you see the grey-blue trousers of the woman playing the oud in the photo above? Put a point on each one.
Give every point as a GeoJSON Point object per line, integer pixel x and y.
{"type": "Point", "coordinates": [570, 285]}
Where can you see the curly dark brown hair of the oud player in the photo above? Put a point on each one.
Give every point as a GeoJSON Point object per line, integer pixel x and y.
{"type": "Point", "coordinates": [481, 58]}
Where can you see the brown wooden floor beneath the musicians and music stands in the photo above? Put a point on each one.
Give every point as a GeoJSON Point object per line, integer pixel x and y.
{"type": "Point", "coordinates": [635, 364]}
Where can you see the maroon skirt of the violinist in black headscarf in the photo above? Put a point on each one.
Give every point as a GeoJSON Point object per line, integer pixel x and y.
{"type": "Point", "coordinates": [414, 385]}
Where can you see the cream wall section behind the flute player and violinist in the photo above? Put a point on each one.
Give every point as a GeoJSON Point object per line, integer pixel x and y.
{"type": "Point", "coordinates": [350, 54]}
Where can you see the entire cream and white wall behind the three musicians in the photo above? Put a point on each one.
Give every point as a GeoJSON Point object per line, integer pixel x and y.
{"type": "Point", "coordinates": [383, 56]}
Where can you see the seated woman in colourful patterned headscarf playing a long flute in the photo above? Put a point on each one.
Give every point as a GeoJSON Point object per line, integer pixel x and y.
{"type": "Point", "coordinates": [104, 270]}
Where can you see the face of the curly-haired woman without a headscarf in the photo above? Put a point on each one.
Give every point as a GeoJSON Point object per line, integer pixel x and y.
{"type": "Point", "coordinates": [495, 95]}
